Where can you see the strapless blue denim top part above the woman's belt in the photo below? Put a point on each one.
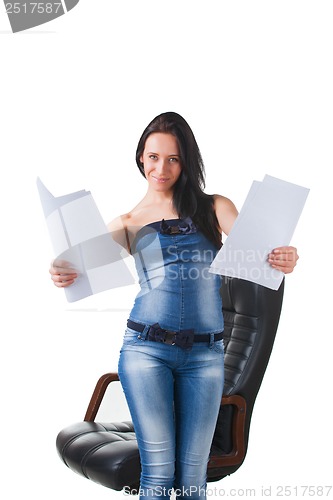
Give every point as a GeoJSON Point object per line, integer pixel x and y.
{"type": "Point", "coordinates": [177, 290]}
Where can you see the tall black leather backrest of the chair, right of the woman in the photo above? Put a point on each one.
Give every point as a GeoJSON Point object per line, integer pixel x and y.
{"type": "Point", "coordinates": [251, 314]}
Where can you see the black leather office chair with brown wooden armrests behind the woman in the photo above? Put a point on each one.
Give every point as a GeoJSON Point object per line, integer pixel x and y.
{"type": "Point", "coordinates": [107, 453]}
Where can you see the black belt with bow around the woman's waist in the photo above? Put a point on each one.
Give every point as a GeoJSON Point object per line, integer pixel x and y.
{"type": "Point", "coordinates": [183, 338]}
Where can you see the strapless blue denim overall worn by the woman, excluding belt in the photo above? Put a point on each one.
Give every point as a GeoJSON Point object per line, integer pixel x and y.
{"type": "Point", "coordinates": [173, 393]}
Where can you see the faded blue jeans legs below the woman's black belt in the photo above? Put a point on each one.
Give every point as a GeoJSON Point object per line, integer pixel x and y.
{"type": "Point", "coordinates": [174, 397]}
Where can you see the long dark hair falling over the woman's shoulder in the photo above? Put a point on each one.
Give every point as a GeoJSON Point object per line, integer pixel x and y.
{"type": "Point", "coordinates": [189, 199]}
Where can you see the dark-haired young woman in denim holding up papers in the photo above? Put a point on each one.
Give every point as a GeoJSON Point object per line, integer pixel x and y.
{"type": "Point", "coordinates": [171, 361]}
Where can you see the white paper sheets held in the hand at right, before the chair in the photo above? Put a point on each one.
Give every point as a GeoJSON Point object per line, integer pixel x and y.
{"type": "Point", "coordinates": [267, 220]}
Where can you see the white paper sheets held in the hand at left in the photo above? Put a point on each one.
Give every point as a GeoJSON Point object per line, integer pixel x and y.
{"type": "Point", "coordinates": [80, 237]}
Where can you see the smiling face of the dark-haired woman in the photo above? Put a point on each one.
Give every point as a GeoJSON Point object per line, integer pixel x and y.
{"type": "Point", "coordinates": [161, 161]}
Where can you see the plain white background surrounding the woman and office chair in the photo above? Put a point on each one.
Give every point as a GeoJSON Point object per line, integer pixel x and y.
{"type": "Point", "coordinates": [254, 80]}
